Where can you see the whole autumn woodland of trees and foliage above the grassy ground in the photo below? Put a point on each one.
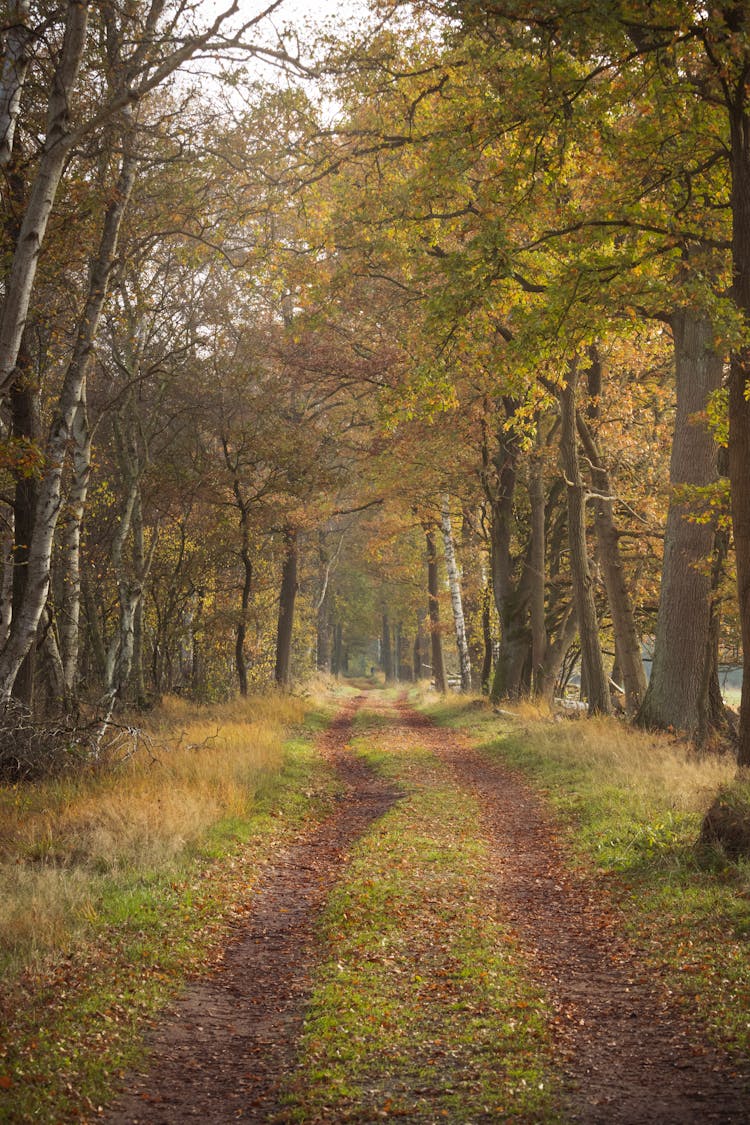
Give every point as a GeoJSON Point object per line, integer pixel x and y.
{"type": "Point", "coordinates": [432, 330]}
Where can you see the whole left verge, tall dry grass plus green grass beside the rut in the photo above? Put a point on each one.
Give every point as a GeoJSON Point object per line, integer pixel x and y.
{"type": "Point", "coordinates": [139, 915]}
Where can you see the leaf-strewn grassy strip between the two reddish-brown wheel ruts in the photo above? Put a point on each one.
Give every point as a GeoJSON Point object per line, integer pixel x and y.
{"type": "Point", "coordinates": [424, 1010]}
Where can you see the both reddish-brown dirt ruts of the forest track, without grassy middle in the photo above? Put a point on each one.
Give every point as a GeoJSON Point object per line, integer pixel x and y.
{"type": "Point", "coordinates": [627, 1055]}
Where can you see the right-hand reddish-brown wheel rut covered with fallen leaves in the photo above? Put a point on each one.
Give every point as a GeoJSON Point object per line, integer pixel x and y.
{"type": "Point", "coordinates": [631, 1058]}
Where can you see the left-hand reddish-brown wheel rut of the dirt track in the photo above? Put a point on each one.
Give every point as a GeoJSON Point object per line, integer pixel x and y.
{"type": "Point", "coordinates": [231, 1040]}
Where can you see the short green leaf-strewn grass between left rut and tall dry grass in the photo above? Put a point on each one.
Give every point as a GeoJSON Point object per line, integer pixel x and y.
{"type": "Point", "coordinates": [74, 1022]}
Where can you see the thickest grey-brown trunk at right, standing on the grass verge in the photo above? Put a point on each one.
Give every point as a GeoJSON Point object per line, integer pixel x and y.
{"type": "Point", "coordinates": [685, 601]}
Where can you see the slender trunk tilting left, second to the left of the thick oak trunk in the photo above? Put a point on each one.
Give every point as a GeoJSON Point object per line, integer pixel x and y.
{"type": "Point", "coordinates": [589, 626]}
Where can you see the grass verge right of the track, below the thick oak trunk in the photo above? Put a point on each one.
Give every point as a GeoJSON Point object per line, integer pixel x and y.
{"type": "Point", "coordinates": [634, 804]}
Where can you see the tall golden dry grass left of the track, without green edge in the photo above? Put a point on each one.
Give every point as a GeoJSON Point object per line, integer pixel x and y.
{"type": "Point", "coordinates": [61, 841]}
